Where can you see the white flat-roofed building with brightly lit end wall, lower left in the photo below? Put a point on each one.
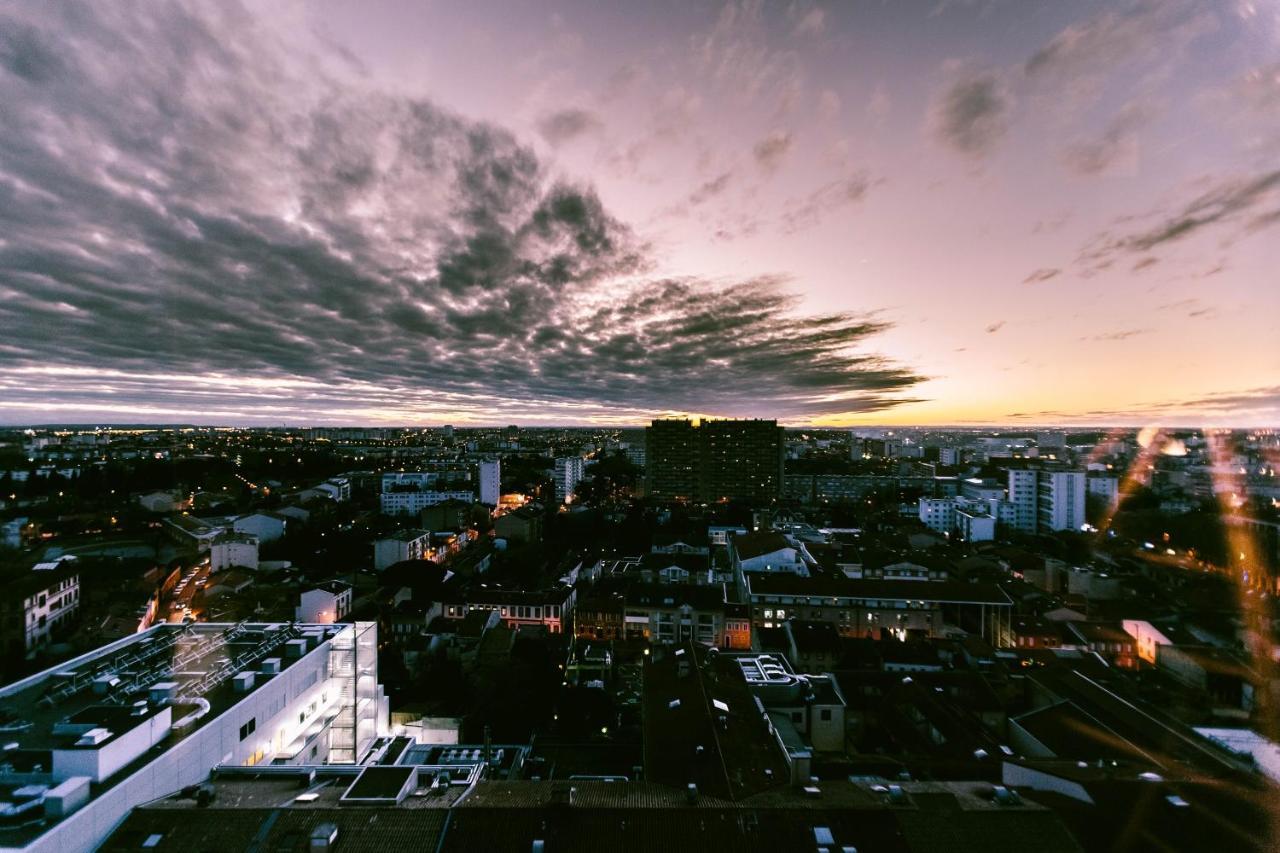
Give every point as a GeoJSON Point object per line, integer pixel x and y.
{"type": "Point", "coordinates": [156, 713]}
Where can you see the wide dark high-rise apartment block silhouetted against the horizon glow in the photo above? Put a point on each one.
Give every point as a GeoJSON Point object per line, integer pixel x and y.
{"type": "Point", "coordinates": [717, 460]}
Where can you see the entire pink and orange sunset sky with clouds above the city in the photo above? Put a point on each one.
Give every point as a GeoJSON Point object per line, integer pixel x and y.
{"type": "Point", "coordinates": [415, 213]}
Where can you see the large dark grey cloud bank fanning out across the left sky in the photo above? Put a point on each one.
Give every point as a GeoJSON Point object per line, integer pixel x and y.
{"type": "Point", "coordinates": [189, 223]}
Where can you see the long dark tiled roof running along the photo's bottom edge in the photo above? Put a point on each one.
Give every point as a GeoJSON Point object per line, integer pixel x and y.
{"type": "Point", "coordinates": [280, 813]}
